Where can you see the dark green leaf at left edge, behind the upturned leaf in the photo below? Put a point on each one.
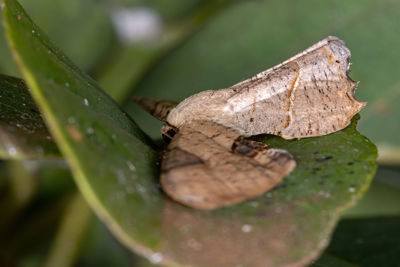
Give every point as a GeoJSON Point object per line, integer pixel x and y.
{"type": "Point", "coordinates": [22, 129]}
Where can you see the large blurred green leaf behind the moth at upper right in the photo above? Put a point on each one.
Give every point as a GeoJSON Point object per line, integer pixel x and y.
{"type": "Point", "coordinates": [252, 36]}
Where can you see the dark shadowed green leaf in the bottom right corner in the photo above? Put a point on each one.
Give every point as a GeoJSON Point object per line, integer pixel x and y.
{"type": "Point", "coordinates": [366, 242]}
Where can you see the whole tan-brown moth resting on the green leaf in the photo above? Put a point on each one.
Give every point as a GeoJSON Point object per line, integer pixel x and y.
{"type": "Point", "coordinates": [210, 164]}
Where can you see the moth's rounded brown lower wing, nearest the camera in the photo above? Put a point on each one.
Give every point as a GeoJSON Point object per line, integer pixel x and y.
{"type": "Point", "coordinates": [208, 166]}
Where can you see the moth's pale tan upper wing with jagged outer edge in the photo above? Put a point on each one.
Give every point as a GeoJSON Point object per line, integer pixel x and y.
{"type": "Point", "coordinates": [308, 95]}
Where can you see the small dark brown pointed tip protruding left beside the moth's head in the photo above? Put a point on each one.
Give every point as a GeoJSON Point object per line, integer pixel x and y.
{"type": "Point", "coordinates": [157, 108]}
